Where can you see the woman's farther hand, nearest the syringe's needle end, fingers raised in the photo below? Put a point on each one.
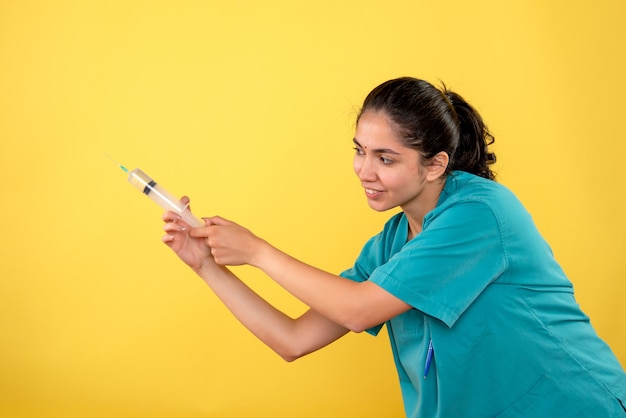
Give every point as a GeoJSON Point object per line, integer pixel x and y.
{"type": "Point", "coordinates": [193, 251]}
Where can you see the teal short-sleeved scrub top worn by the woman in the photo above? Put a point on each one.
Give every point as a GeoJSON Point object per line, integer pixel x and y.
{"type": "Point", "coordinates": [508, 338]}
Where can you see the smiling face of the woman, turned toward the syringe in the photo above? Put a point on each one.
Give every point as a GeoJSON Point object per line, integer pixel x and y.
{"type": "Point", "coordinates": [390, 172]}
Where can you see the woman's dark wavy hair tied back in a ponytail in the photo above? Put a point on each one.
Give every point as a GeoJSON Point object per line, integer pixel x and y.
{"type": "Point", "coordinates": [431, 120]}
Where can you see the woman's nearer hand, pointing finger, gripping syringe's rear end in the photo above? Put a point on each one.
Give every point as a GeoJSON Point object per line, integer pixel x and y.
{"type": "Point", "coordinates": [230, 244]}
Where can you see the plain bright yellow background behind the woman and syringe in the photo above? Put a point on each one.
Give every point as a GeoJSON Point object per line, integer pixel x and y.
{"type": "Point", "coordinates": [249, 108]}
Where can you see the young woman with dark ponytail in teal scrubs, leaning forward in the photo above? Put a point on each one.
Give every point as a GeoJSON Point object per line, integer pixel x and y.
{"type": "Point", "coordinates": [482, 320]}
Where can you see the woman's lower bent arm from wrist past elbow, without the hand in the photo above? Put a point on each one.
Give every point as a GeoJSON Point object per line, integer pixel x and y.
{"type": "Point", "coordinates": [290, 338]}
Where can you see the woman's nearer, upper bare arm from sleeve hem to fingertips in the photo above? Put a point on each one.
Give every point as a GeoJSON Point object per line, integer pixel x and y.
{"type": "Point", "coordinates": [354, 305]}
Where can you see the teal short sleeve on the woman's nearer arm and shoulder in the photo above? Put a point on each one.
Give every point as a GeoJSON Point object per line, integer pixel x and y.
{"type": "Point", "coordinates": [447, 266]}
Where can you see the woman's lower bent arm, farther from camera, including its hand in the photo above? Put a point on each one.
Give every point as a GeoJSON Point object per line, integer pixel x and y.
{"type": "Point", "coordinates": [288, 337]}
